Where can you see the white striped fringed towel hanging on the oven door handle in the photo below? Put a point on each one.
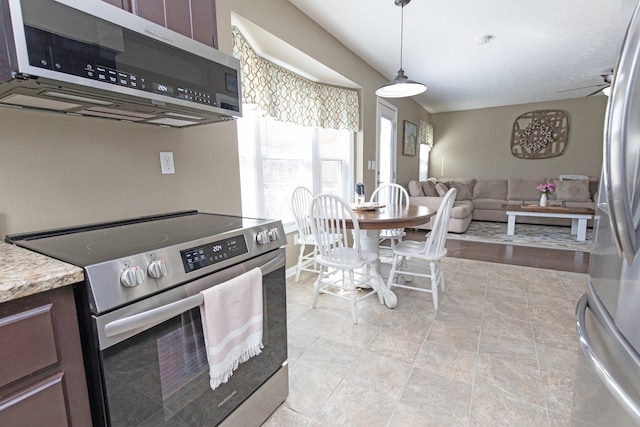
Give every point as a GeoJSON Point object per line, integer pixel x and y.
{"type": "Point", "coordinates": [232, 315]}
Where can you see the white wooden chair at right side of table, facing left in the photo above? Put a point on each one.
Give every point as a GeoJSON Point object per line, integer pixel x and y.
{"type": "Point", "coordinates": [431, 250]}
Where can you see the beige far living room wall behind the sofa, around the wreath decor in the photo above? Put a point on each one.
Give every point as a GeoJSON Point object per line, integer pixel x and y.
{"type": "Point", "coordinates": [476, 143]}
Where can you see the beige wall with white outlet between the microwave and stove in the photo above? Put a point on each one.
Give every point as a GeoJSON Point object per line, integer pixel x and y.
{"type": "Point", "coordinates": [58, 170]}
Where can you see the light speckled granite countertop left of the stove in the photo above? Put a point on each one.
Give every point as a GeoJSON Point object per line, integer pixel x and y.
{"type": "Point", "coordinates": [23, 273]}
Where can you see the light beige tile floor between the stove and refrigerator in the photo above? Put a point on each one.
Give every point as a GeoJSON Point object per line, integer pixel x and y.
{"type": "Point", "coordinates": [500, 351]}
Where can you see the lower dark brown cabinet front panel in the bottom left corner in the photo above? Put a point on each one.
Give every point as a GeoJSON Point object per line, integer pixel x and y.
{"type": "Point", "coordinates": [42, 404]}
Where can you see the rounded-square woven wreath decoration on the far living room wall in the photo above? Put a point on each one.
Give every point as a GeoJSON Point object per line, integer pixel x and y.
{"type": "Point", "coordinates": [540, 134]}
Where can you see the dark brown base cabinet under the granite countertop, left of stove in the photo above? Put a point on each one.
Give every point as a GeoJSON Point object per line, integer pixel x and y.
{"type": "Point", "coordinates": [42, 376]}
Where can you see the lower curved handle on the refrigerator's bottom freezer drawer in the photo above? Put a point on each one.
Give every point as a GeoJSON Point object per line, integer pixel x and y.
{"type": "Point", "coordinates": [599, 366]}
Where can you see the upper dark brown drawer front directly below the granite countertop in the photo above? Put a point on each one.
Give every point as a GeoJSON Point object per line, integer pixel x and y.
{"type": "Point", "coordinates": [27, 343]}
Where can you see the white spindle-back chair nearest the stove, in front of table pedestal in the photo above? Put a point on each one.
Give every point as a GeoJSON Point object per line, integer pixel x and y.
{"type": "Point", "coordinates": [353, 275]}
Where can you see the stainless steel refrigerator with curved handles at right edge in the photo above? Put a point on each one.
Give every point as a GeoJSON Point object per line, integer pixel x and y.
{"type": "Point", "coordinates": [607, 389]}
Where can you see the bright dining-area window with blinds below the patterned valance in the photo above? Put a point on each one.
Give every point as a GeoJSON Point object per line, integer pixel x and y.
{"type": "Point", "coordinates": [276, 157]}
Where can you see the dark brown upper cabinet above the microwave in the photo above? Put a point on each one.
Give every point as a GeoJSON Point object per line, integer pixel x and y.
{"type": "Point", "coordinates": [193, 18]}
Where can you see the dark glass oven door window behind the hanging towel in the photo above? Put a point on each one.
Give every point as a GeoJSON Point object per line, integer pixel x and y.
{"type": "Point", "coordinates": [161, 377]}
